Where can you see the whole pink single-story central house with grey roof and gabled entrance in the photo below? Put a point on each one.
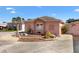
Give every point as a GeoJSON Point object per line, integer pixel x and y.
{"type": "Point", "coordinates": [44, 24]}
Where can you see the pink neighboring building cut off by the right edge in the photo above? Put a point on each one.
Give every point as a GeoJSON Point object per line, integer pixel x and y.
{"type": "Point", "coordinates": [73, 28]}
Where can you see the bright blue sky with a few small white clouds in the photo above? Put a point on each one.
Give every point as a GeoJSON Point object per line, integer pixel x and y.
{"type": "Point", "coordinates": [60, 12]}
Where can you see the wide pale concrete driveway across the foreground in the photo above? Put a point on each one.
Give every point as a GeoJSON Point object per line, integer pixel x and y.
{"type": "Point", "coordinates": [63, 44]}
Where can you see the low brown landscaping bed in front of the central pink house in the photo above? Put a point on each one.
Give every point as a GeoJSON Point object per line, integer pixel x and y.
{"type": "Point", "coordinates": [33, 38]}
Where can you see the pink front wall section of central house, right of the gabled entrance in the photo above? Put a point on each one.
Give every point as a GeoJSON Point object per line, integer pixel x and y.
{"type": "Point", "coordinates": [54, 27]}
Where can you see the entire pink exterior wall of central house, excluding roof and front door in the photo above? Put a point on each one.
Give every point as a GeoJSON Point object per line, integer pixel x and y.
{"type": "Point", "coordinates": [48, 26]}
